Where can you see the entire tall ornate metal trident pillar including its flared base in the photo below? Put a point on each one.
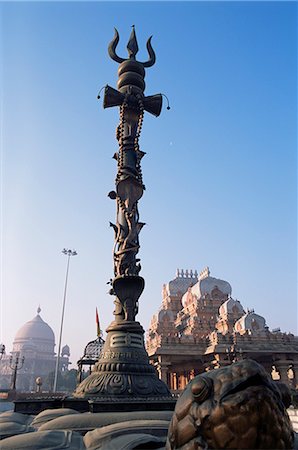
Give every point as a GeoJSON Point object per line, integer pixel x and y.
{"type": "Point", "coordinates": [123, 370]}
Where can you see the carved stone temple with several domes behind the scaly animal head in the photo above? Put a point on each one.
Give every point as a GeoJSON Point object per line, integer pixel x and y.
{"type": "Point", "coordinates": [199, 327]}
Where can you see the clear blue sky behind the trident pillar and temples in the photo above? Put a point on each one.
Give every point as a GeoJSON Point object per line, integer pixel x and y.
{"type": "Point", "coordinates": [220, 169]}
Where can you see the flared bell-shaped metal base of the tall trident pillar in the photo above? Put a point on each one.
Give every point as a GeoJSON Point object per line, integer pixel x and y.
{"type": "Point", "coordinates": [123, 370]}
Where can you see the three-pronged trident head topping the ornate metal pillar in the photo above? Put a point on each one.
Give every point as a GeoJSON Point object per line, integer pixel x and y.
{"type": "Point", "coordinates": [132, 48]}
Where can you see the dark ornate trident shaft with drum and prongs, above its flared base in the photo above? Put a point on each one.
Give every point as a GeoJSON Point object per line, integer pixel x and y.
{"type": "Point", "coordinates": [129, 183]}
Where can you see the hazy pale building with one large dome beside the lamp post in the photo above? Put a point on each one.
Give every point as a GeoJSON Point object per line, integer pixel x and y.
{"type": "Point", "coordinates": [35, 340]}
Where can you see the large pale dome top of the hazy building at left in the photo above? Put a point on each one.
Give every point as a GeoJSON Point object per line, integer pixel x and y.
{"type": "Point", "coordinates": [35, 329]}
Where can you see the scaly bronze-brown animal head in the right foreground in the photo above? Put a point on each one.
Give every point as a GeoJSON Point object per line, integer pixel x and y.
{"type": "Point", "coordinates": [234, 407]}
